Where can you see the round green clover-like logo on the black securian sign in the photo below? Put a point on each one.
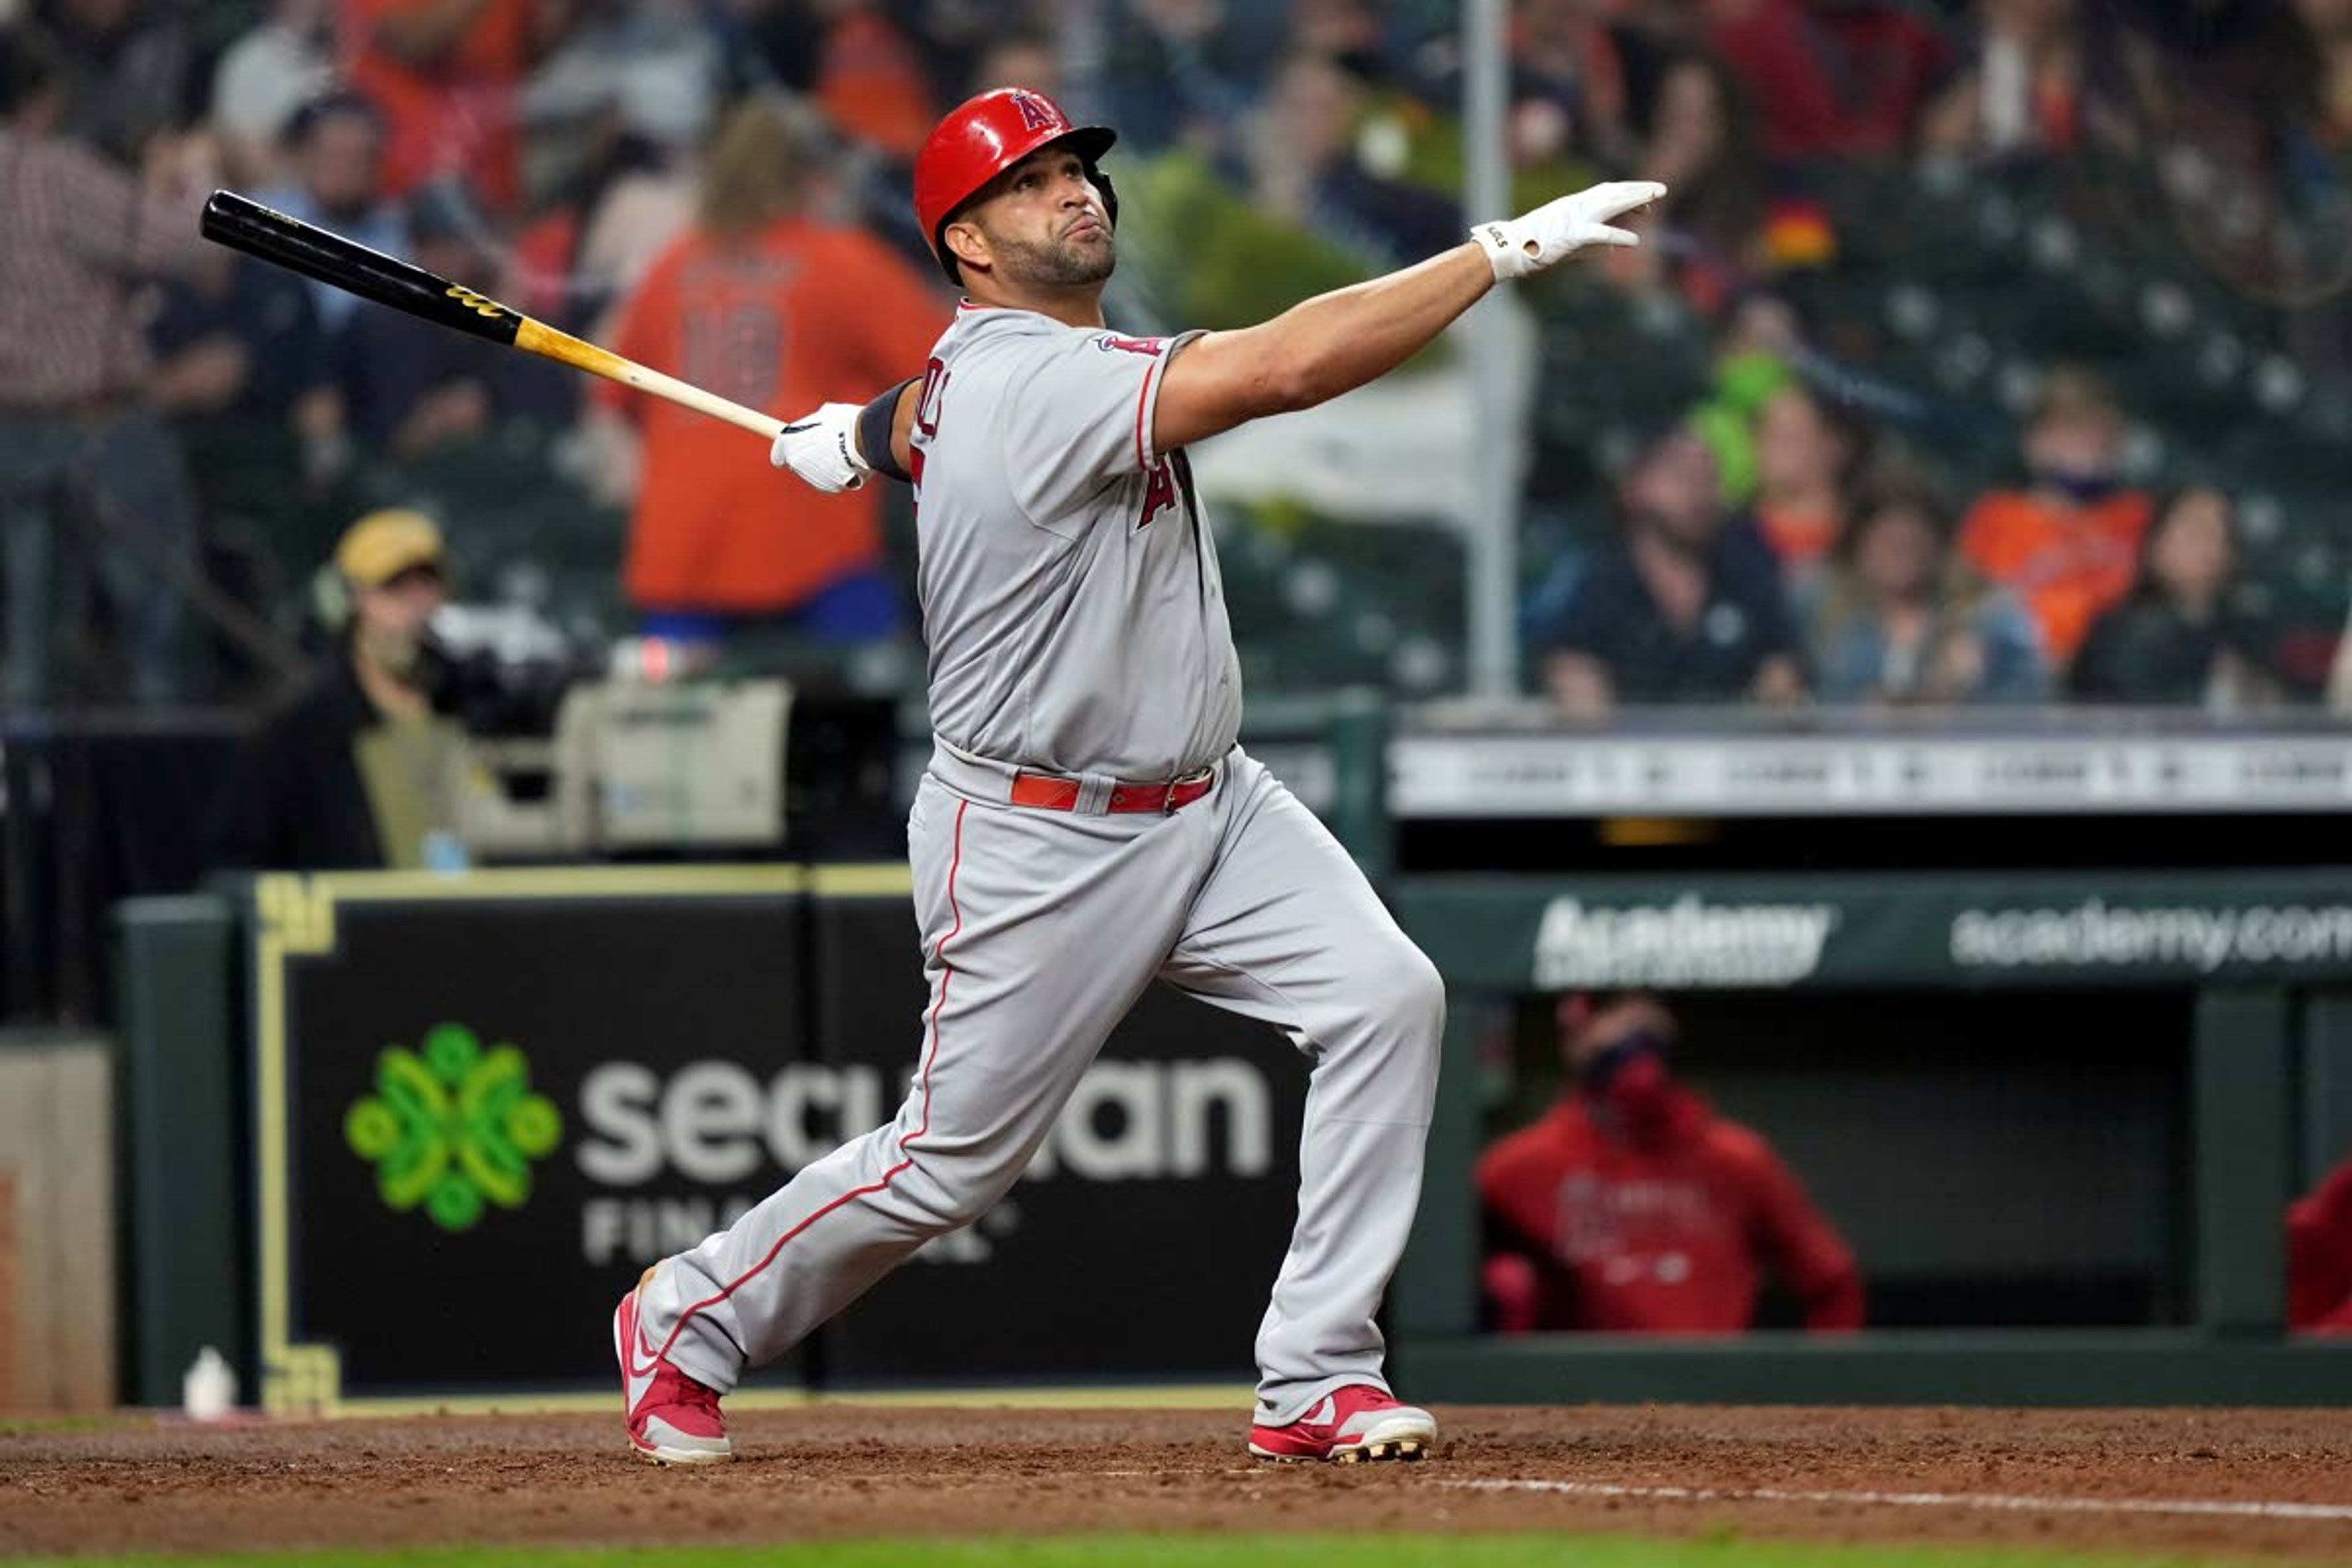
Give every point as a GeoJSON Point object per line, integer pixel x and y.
{"type": "Point", "coordinates": [453, 1127]}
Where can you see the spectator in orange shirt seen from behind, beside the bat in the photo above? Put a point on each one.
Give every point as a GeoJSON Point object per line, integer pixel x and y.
{"type": "Point", "coordinates": [777, 311]}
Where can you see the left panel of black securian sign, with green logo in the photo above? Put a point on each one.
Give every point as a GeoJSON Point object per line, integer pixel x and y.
{"type": "Point", "coordinates": [488, 1101]}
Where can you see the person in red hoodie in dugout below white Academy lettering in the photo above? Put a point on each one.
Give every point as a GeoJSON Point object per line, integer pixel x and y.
{"type": "Point", "coordinates": [1631, 1207]}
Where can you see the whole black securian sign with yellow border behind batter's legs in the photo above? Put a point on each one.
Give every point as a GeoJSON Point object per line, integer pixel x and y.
{"type": "Point", "coordinates": [486, 1104]}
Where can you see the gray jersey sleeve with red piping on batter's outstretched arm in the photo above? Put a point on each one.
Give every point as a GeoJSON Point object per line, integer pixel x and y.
{"type": "Point", "coordinates": [1083, 417]}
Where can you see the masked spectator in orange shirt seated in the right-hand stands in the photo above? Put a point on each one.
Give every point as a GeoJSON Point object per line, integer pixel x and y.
{"type": "Point", "coordinates": [2071, 542]}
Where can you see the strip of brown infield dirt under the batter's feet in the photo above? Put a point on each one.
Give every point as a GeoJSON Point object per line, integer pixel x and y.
{"type": "Point", "coordinates": [2280, 1482]}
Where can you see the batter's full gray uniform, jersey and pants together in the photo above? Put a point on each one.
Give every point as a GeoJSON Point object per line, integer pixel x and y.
{"type": "Point", "coordinates": [1078, 626]}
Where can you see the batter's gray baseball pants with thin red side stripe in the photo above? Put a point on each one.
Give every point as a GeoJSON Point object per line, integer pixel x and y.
{"type": "Point", "coordinates": [1038, 932]}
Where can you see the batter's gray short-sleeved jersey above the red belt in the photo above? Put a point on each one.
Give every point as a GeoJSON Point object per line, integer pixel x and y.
{"type": "Point", "coordinates": [1069, 582]}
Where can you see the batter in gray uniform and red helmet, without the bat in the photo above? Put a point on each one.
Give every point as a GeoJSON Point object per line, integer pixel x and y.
{"type": "Point", "coordinates": [1088, 822]}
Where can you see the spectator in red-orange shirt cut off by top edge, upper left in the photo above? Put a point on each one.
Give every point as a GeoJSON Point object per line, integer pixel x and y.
{"type": "Point", "coordinates": [446, 74]}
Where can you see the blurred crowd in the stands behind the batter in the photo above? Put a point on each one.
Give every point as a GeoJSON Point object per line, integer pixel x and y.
{"type": "Point", "coordinates": [1742, 488]}
